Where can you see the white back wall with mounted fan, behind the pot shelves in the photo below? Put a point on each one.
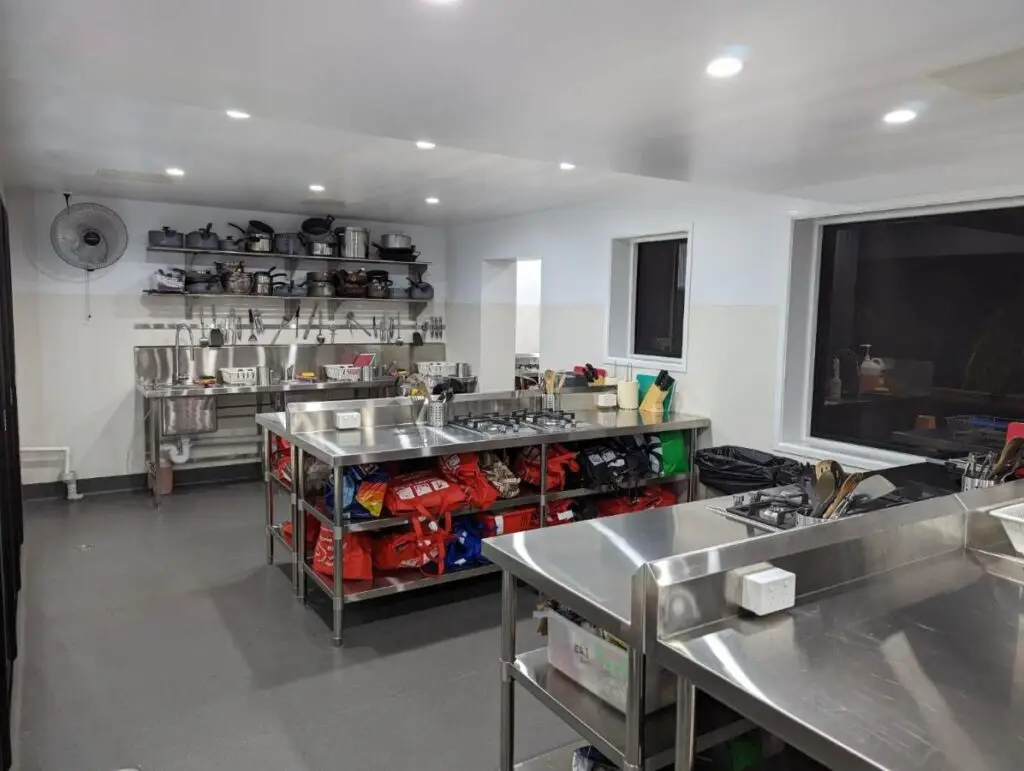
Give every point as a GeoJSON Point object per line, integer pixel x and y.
{"type": "Point", "coordinates": [76, 378]}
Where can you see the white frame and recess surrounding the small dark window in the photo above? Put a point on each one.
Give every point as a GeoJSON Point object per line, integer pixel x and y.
{"type": "Point", "coordinates": [632, 358]}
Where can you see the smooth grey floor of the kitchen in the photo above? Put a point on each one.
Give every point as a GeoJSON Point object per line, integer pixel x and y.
{"type": "Point", "coordinates": [164, 642]}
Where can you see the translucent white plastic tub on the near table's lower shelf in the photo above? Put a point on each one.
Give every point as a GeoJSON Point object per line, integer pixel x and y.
{"type": "Point", "coordinates": [603, 668]}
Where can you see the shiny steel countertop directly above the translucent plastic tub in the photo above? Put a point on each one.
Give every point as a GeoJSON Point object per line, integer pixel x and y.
{"type": "Point", "coordinates": [590, 566]}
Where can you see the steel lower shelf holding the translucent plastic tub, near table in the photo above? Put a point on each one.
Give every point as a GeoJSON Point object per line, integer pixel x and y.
{"type": "Point", "coordinates": [605, 727]}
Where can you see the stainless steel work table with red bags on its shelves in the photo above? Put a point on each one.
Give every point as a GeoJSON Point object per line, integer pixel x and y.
{"type": "Point", "coordinates": [310, 430]}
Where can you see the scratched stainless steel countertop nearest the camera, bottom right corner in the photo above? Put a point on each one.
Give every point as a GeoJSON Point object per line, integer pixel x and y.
{"type": "Point", "coordinates": [917, 669]}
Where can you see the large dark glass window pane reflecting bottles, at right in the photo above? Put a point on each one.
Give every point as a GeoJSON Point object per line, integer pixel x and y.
{"type": "Point", "coordinates": [920, 342]}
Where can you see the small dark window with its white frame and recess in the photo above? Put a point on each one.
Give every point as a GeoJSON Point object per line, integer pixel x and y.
{"type": "Point", "coordinates": [649, 301]}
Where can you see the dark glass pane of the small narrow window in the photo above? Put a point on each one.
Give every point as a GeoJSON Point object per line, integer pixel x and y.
{"type": "Point", "coordinates": [661, 294]}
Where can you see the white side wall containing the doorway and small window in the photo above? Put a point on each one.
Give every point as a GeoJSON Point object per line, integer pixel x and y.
{"type": "Point", "coordinates": [741, 258]}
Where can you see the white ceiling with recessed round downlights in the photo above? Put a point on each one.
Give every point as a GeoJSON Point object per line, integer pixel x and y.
{"type": "Point", "coordinates": [339, 91]}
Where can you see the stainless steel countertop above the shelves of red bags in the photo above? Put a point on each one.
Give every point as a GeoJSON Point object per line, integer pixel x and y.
{"type": "Point", "coordinates": [380, 444]}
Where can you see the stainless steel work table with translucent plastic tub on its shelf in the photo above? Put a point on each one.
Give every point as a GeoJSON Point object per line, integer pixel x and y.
{"type": "Point", "coordinates": [589, 567]}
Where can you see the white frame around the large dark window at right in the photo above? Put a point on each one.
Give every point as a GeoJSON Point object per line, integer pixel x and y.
{"type": "Point", "coordinates": [793, 422]}
